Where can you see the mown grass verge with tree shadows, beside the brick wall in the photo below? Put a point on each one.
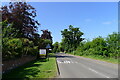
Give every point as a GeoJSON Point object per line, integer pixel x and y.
{"type": "Point", "coordinates": [34, 70]}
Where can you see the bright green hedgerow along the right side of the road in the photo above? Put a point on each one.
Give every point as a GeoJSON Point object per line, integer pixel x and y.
{"type": "Point", "coordinates": [103, 47]}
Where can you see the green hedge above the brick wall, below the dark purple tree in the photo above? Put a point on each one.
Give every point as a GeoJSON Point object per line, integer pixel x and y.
{"type": "Point", "coordinates": [16, 47]}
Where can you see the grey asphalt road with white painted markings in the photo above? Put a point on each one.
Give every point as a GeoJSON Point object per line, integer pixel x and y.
{"type": "Point", "coordinates": [79, 67]}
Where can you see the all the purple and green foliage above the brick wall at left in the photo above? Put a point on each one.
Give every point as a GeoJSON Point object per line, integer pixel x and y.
{"type": "Point", "coordinates": [19, 31]}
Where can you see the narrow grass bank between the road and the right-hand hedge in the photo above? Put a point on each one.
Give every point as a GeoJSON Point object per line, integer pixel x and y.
{"type": "Point", "coordinates": [96, 57]}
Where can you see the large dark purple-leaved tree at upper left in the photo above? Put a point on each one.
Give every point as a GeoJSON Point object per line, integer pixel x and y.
{"type": "Point", "coordinates": [21, 15]}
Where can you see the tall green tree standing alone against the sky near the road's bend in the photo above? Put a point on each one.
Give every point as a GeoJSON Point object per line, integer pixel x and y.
{"type": "Point", "coordinates": [72, 38]}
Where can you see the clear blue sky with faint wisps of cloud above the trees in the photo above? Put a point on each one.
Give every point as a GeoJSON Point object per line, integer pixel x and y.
{"type": "Point", "coordinates": [93, 18]}
